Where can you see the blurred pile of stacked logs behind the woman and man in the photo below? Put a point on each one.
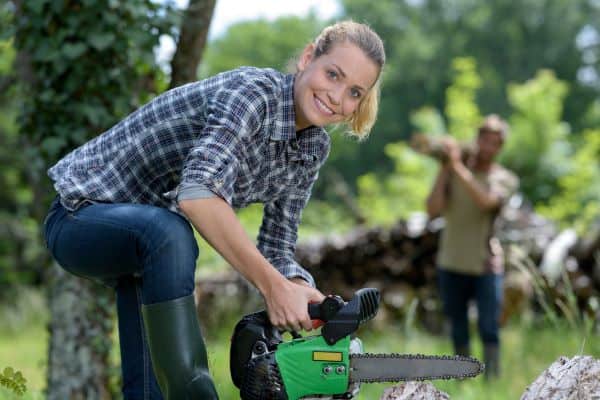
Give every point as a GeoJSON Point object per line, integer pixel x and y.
{"type": "Point", "coordinates": [400, 261]}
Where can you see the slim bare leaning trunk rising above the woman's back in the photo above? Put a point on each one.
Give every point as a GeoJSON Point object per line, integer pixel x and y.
{"type": "Point", "coordinates": [192, 39]}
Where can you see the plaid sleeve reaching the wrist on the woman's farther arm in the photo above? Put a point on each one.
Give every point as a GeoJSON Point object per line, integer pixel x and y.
{"type": "Point", "coordinates": [279, 231]}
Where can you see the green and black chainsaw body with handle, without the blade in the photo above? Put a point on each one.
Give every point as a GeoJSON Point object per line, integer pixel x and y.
{"type": "Point", "coordinates": [265, 367]}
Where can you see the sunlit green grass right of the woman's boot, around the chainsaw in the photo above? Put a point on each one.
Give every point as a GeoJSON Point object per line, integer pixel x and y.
{"type": "Point", "coordinates": [527, 351]}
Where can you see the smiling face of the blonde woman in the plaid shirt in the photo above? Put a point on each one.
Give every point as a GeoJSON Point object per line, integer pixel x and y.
{"type": "Point", "coordinates": [328, 89]}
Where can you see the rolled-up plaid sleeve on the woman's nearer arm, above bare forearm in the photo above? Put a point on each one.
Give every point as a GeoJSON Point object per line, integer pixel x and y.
{"type": "Point", "coordinates": [233, 114]}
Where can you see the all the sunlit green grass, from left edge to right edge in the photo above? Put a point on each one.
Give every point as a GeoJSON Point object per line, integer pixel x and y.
{"type": "Point", "coordinates": [528, 349]}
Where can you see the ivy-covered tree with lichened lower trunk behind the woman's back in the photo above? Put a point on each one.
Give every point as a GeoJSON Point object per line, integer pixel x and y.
{"type": "Point", "coordinates": [82, 66]}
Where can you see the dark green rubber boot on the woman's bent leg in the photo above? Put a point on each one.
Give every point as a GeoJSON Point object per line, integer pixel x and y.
{"type": "Point", "coordinates": [177, 350]}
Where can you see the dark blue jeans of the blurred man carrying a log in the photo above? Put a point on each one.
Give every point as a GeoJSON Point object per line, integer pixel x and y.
{"type": "Point", "coordinates": [456, 290]}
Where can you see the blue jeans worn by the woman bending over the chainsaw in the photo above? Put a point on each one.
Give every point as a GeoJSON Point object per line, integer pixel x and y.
{"type": "Point", "coordinates": [147, 254]}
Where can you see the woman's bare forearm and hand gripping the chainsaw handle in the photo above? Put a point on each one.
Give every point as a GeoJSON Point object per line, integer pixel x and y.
{"type": "Point", "coordinates": [286, 301]}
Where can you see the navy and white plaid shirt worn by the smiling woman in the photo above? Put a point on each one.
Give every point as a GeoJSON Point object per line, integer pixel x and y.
{"type": "Point", "coordinates": [233, 133]}
